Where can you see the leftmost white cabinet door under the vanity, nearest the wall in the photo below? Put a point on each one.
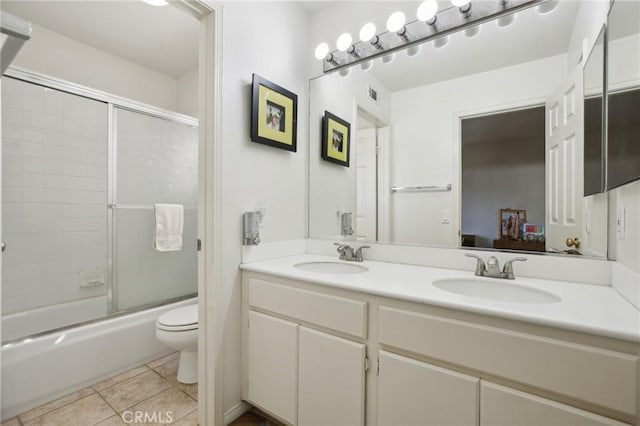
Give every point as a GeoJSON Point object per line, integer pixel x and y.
{"type": "Point", "coordinates": [273, 361]}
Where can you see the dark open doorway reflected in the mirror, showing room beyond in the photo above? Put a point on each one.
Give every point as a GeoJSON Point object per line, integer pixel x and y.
{"type": "Point", "coordinates": [503, 171]}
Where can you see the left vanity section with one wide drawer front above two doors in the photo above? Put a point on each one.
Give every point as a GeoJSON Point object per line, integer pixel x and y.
{"type": "Point", "coordinates": [299, 366]}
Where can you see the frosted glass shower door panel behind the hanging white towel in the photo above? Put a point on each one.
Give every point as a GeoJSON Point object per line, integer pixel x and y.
{"type": "Point", "coordinates": [154, 160]}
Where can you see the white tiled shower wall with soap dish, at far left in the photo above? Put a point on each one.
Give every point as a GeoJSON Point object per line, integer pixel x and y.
{"type": "Point", "coordinates": [54, 216]}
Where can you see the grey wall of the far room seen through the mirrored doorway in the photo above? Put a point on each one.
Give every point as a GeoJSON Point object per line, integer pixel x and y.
{"type": "Point", "coordinates": [500, 175]}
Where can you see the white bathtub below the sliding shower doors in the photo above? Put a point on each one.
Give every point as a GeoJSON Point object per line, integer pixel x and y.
{"type": "Point", "coordinates": [35, 371]}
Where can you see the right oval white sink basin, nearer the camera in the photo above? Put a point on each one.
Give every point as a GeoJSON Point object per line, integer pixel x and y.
{"type": "Point", "coordinates": [495, 290]}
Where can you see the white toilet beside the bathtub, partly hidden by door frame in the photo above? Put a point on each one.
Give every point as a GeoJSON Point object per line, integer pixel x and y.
{"type": "Point", "coordinates": [178, 329]}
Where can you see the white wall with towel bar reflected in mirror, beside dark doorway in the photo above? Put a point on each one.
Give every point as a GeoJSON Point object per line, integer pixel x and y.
{"type": "Point", "coordinates": [425, 140]}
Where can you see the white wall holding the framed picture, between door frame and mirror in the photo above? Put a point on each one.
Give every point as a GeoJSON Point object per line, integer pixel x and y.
{"type": "Point", "coordinates": [254, 174]}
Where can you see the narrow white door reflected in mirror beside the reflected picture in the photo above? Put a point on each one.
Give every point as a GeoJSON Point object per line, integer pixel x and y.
{"type": "Point", "coordinates": [366, 181]}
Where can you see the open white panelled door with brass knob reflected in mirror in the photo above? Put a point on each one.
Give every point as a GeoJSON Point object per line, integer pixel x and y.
{"type": "Point", "coordinates": [564, 144]}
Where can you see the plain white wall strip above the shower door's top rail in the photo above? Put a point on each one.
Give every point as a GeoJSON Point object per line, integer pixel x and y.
{"type": "Point", "coordinates": [55, 55]}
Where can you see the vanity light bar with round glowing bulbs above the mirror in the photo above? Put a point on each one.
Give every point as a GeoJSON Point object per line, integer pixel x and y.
{"type": "Point", "coordinates": [440, 24]}
